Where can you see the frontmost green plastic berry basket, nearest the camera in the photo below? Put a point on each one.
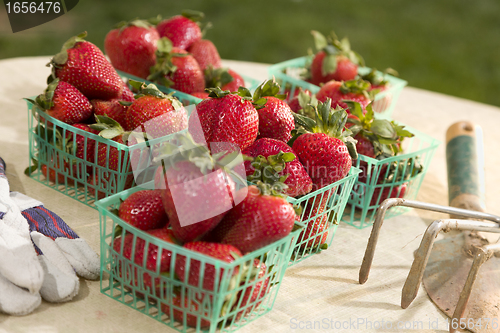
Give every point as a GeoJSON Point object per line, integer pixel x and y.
{"type": "Point", "coordinates": [161, 294]}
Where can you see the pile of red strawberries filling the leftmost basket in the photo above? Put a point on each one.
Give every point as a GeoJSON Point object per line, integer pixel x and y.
{"type": "Point", "coordinates": [86, 93]}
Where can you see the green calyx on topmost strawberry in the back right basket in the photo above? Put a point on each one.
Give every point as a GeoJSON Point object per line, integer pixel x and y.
{"type": "Point", "coordinates": [333, 47]}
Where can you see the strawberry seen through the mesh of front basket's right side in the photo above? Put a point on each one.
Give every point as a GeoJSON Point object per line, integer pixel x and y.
{"type": "Point", "coordinates": [253, 295]}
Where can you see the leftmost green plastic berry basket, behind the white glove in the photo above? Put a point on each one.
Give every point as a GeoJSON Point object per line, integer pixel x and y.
{"type": "Point", "coordinates": [53, 160]}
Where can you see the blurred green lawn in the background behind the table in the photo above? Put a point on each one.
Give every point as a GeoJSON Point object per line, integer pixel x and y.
{"type": "Point", "coordinates": [449, 46]}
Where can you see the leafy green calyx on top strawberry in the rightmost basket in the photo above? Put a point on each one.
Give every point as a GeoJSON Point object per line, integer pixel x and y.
{"type": "Point", "coordinates": [386, 136]}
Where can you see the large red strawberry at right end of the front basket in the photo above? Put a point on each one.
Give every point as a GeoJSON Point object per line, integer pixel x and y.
{"type": "Point", "coordinates": [259, 220]}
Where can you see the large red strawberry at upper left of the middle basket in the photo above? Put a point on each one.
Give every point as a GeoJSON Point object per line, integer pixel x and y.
{"type": "Point", "coordinates": [225, 118]}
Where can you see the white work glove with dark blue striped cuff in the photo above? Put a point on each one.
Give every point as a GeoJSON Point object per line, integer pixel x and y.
{"type": "Point", "coordinates": [51, 274]}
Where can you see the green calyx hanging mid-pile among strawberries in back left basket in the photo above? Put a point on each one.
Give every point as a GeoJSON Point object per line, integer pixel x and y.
{"type": "Point", "coordinates": [164, 65]}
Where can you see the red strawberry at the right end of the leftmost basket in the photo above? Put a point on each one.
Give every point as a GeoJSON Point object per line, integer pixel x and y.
{"type": "Point", "coordinates": [155, 113]}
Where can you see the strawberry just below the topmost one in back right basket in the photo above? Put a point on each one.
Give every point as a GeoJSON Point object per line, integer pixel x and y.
{"type": "Point", "coordinates": [339, 92]}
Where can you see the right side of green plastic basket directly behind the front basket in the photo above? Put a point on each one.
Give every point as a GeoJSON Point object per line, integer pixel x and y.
{"type": "Point", "coordinates": [320, 224]}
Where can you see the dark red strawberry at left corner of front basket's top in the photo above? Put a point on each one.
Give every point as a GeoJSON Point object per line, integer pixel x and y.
{"type": "Point", "coordinates": [144, 210]}
